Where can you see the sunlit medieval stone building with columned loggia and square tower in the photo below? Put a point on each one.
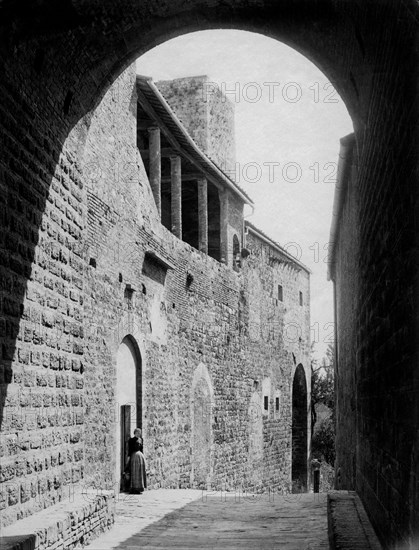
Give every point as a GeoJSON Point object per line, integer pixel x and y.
{"type": "Point", "coordinates": [151, 302]}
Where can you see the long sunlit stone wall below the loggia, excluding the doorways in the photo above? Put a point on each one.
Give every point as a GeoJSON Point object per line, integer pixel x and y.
{"type": "Point", "coordinates": [94, 243]}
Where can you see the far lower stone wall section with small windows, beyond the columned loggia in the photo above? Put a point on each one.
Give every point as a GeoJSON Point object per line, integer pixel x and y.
{"type": "Point", "coordinates": [277, 337]}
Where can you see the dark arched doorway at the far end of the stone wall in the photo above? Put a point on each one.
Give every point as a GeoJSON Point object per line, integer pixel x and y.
{"type": "Point", "coordinates": [299, 431]}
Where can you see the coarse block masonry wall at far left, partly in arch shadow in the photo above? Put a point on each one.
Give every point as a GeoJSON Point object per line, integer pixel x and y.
{"type": "Point", "coordinates": [42, 209]}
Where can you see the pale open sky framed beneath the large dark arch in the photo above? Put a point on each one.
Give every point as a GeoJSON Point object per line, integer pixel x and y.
{"type": "Point", "coordinates": [288, 123]}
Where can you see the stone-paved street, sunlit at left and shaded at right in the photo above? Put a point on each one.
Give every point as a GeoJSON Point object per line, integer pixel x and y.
{"type": "Point", "coordinates": [191, 519]}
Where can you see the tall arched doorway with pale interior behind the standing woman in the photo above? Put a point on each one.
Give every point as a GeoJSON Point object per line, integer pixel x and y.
{"type": "Point", "coordinates": [128, 400]}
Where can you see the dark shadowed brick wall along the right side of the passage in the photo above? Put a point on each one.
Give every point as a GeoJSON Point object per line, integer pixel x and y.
{"type": "Point", "coordinates": [377, 307]}
